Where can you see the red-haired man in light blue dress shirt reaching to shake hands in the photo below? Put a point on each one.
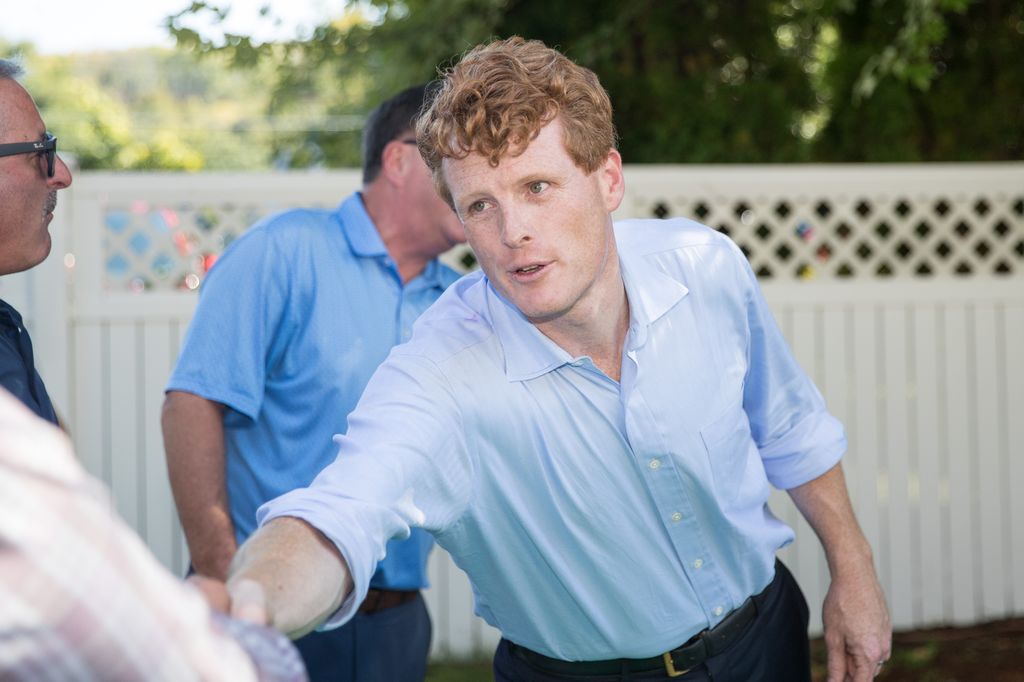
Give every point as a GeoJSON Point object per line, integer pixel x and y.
{"type": "Point", "coordinates": [589, 425]}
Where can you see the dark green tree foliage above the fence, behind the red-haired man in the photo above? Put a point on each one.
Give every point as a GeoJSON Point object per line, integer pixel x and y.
{"type": "Point", "coordinates": [712, 81]}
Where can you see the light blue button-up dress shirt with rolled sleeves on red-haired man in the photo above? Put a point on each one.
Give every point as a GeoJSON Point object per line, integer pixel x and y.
{"type": "Point", "coordinates": [595, 520]}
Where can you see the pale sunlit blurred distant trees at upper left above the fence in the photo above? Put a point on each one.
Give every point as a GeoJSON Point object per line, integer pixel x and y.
{"type": "Point", "coordinates": [149, 109]}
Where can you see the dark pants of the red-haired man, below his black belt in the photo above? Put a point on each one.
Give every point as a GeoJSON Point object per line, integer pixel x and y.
{"type": "Point", "coordinates": [775, 649]}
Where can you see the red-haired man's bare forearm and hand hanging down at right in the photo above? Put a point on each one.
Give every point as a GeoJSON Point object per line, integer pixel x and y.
{"type": "Point", "coordinates": [859, 635]}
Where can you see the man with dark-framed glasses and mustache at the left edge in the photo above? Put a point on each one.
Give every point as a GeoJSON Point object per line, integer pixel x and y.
{"type": "Point", "coordinates": [31, 175]}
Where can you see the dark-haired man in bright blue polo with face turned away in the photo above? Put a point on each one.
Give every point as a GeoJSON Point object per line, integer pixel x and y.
{"type": "Point", "coordinates": [292, 323]}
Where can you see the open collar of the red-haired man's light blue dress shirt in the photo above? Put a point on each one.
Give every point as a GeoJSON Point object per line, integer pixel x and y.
{"type": "Point", "coordinates": [529, 354]}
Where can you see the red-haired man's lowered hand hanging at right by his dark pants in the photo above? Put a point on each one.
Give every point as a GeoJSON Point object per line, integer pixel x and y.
{"type": "Point", "coordinates": [859, 634]}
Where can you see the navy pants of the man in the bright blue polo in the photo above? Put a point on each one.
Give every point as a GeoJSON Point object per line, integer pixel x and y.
{"type": "Point", "coordinates": [391, 646]}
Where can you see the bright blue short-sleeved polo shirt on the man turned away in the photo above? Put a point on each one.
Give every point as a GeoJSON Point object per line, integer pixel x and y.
{"type": "Point", "coordinates": [292, 322]}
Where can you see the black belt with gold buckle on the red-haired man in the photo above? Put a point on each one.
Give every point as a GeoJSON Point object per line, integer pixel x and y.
{"type": "Point", "coordinates": [675, 663]}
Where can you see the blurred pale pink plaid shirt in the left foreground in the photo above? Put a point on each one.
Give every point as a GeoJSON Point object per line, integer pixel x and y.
{"type": "Point", "coordinates": [81, 598]}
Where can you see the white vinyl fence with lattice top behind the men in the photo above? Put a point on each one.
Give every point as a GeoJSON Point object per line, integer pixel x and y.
{"type": "Point", "coordinates": [901, 289]}
